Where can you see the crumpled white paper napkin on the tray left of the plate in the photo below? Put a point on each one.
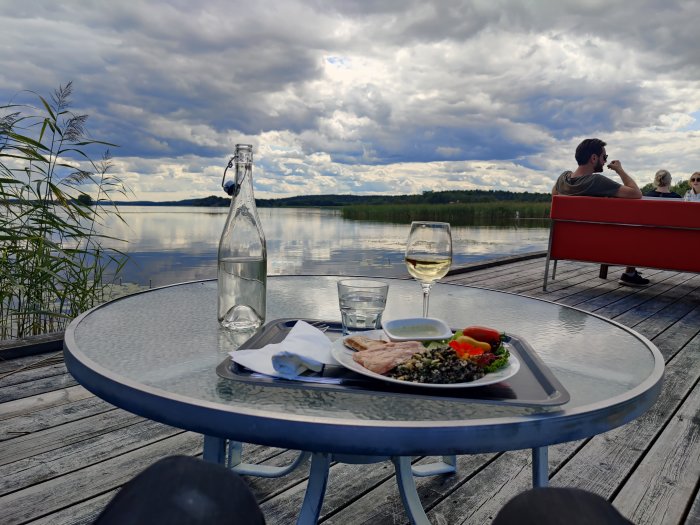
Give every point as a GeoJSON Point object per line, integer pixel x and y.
{"type": "Point", "coordinates": [305, 348]}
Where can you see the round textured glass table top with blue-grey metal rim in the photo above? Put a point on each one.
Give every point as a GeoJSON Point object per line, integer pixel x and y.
{"type": "Point", "coordinates": [155, 354]}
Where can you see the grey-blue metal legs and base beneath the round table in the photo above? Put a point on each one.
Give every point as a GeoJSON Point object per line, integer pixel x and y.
{"type": "Point", "coordinates": [215, 450]}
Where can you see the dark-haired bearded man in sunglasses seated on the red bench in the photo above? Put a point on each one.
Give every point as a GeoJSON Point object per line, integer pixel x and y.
{"type": "Point", "coordinates": [589, 181]}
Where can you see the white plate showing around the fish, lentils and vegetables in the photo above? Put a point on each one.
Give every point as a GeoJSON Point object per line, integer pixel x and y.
{"type": "Point", "coordinates": [343, 355]}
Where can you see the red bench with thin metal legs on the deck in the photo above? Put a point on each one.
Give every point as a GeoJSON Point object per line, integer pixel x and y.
{"type": "Point", "coordinates": [652, 233]}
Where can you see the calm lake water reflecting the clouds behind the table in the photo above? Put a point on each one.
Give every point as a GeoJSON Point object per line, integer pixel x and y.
{"type": "Point", "coordinates": [175, 244]}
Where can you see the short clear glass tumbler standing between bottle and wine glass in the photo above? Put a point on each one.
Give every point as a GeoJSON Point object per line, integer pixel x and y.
{"type": "Point", "coordinates": [362, 303]}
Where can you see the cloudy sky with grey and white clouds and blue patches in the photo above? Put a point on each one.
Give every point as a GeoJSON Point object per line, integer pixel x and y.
{"type": "Point", "coordinates": [366, 97]}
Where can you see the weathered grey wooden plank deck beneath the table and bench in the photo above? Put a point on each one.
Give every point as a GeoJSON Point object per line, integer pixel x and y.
{"type": "Point", "coordinates": [65, 453]}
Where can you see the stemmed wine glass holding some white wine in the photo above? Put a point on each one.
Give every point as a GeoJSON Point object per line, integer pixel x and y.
{"type": "Point", "coordinates": [428, 254]}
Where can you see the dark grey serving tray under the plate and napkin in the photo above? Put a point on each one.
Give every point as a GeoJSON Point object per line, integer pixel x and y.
{"type": "Point", "coordinates": [533, 385]}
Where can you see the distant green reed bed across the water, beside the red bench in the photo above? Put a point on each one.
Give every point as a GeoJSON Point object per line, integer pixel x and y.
{"type": "Point", "coordinates": [458, 214]}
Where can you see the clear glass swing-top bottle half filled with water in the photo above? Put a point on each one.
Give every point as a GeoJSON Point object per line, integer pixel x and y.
{"type": "Point", "coordinates": [242, 252]}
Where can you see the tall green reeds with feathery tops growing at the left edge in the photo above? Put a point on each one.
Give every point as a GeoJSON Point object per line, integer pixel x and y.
{"type": "Point", "coordinates": [52, 262]}
